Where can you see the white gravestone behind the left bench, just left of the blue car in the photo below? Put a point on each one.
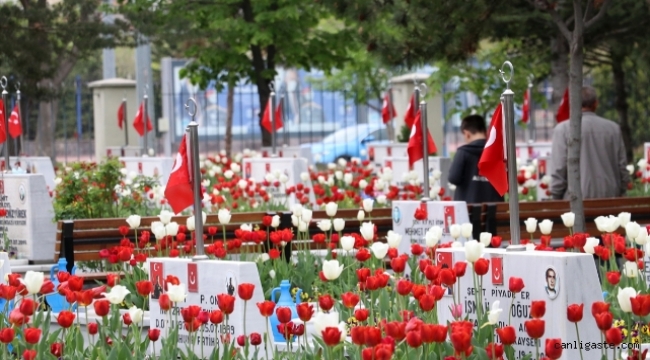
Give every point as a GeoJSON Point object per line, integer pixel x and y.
{"type": "Point", "coordinates": [258, 168]}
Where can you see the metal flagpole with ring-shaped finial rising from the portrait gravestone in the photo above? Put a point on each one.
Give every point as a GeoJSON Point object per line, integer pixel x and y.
{"type": "Point", "coordinates": [509, 118]}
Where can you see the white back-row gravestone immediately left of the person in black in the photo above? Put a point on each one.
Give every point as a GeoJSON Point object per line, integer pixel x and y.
{"type": "Point", "coordinates": [402, 170]}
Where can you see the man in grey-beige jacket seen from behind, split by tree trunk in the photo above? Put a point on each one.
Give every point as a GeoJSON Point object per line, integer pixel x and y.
{"type": "Point", "coordinates": [603, 163]}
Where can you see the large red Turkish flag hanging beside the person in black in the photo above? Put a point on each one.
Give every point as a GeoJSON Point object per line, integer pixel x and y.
{"type": "Point", "coordinates": [492, 164]}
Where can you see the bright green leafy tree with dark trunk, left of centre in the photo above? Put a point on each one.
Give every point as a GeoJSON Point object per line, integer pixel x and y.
{"type": "Point", "coordinates": [246, 40]}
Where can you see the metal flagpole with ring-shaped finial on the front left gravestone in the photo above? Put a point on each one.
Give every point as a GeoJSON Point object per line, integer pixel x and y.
{"type": "Point", "coordinates": [195, 173]}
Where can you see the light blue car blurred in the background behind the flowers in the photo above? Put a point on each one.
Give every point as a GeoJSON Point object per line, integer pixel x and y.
{"type": "Point", "coordinates": [348, 142]}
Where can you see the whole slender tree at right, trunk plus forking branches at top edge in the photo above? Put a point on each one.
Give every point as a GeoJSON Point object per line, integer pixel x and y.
{"type": "Point", "coordinates": [582, 20]}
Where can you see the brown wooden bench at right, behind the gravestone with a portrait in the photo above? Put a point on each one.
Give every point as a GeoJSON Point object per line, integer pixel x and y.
{"type": "Point", "coordinates": [496, 218]}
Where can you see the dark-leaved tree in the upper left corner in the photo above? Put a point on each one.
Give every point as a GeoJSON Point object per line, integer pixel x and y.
{"type": "Point", "coordinates": [41, 44]}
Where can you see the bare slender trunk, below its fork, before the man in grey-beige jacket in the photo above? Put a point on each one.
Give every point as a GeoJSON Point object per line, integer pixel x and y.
{"type": "Point", "coordinates": [574, 191]}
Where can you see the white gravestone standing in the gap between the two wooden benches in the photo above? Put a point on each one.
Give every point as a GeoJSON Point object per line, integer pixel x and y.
{"type": "Point", "coordinates": [440, 213]}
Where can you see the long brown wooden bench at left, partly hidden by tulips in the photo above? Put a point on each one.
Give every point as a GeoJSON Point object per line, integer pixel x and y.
{"type": "Point", "coordinates": [82, 240]}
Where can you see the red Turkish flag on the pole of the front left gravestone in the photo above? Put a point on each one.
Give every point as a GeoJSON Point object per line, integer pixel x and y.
{"type": "Point", "coordinates": [179, 192]}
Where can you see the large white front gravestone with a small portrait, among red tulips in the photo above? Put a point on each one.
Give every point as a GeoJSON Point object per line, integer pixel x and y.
{"type": "Point", "coordinates": [572, 275]}
